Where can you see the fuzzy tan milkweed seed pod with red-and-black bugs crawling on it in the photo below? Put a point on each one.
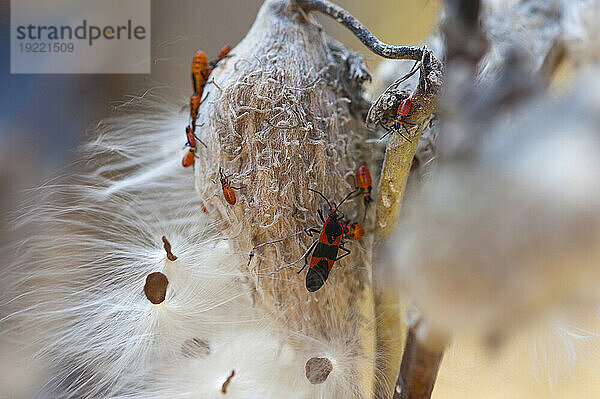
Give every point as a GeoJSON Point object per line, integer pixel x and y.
{"type": "Point", "coordinates": [286, 115]}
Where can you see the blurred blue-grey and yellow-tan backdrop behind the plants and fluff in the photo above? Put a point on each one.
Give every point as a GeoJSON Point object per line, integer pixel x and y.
{"type": "Point", "coordinates": [43, 118]}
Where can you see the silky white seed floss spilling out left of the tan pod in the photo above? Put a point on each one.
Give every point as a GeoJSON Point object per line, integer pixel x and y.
{"type": "Point", "coordinates": [75, 301]}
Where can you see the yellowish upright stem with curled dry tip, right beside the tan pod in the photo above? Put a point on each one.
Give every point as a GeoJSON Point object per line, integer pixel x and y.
{"type": "Point", "coordinates": [394, 175]}
